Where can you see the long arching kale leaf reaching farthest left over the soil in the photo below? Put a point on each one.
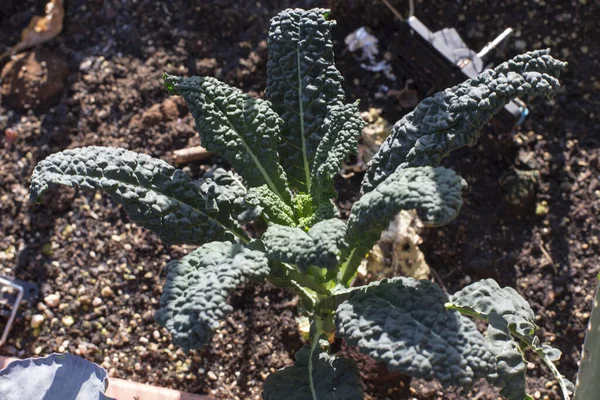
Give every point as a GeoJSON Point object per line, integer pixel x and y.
{"type": "Point", "coordinates": [155, 195]}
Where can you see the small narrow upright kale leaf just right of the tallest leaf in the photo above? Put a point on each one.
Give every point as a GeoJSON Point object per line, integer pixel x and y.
{"type": "Point", "coordinates": [340, 130]}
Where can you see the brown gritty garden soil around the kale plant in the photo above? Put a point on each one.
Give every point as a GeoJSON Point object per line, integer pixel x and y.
{"type": "Point", "coordinates": [107, 273]}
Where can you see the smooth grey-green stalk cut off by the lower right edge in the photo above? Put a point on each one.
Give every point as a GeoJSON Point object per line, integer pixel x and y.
{"type": "Point", "coordinates": [588, 377]}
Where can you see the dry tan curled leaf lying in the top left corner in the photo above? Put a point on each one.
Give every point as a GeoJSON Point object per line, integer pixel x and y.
{"type": "Point", "coordinates": [40, 28]}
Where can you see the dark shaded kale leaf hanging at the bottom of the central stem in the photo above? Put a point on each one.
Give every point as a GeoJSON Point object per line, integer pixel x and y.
{"type": "Point", "coordinates": [314, 376]}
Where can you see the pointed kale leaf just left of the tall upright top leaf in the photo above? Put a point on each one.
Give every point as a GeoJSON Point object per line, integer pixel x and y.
{"type": "Point", "coordinates": [242, 129]}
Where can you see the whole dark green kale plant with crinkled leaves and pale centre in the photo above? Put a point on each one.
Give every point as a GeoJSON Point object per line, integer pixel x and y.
{"type": "Point", "coordinates": [286, 151]}
